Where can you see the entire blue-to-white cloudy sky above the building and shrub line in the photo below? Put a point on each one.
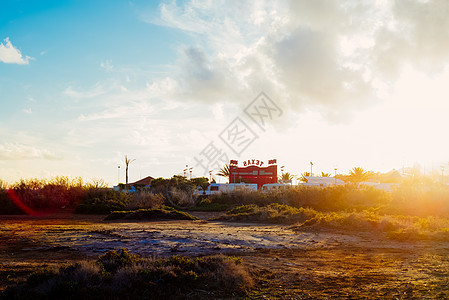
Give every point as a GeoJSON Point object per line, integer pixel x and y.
{"type": "Point", "coordinates": [196, 83]}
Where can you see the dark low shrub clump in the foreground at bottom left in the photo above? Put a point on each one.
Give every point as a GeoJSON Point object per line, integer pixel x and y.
{"type": "Point", "coordinates": [125, 276]}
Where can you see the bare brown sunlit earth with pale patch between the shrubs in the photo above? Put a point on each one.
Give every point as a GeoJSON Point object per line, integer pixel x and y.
{"type": "Point", "coordinates": [285, 264]}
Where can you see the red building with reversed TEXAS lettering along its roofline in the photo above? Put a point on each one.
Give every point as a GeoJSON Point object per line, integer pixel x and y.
{"type": "Point", "coordinates": [253, 173]}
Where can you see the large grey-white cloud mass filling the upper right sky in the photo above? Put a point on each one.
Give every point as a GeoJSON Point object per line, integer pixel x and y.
{"type": "Point", "coordinates": [329, 56]}
